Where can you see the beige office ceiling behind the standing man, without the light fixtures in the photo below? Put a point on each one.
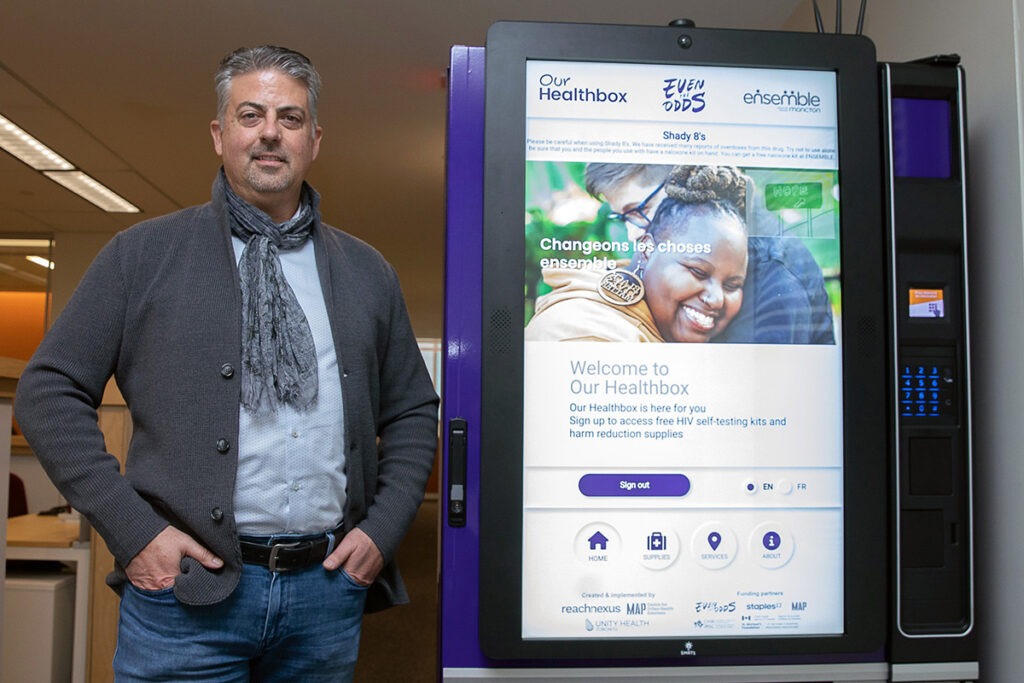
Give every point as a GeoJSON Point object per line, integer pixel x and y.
{"type": "Point", "coordinates": [123, 90]}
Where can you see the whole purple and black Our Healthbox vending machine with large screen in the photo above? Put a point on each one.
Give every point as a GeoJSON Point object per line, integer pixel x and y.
{"type": "Point", "coordinates": [693, 319]}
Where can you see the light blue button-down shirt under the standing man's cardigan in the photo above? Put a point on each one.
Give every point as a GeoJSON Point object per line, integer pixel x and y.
{"type": "Point", "coordinates": [291, 477]}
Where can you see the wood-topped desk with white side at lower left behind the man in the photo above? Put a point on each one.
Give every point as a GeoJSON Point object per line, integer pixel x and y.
{"type": "Point", "coordinates": [50, 538]}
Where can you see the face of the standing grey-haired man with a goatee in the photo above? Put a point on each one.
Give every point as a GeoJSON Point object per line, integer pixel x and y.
{"type": "Point", "coordinates": [268, 141]}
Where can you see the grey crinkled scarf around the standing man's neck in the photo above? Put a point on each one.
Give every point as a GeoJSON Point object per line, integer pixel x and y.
{"type": "Point", "coordinates": [279, 359]}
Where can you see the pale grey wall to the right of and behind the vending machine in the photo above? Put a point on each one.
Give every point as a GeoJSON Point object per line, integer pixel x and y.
{"type": "Point", "coordinates": [988, 35]}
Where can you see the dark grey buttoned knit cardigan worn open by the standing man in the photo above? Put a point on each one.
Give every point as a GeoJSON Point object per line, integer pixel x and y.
{"type": "Point", "coordinates": [160, 311]}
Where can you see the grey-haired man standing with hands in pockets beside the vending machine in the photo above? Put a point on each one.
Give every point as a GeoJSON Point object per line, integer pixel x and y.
{"type": "Point", "coordinates": [284, 423]}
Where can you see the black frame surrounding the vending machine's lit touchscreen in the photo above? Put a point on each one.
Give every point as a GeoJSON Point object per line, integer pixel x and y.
{"type": "Point", "coordinates": [866, 331]}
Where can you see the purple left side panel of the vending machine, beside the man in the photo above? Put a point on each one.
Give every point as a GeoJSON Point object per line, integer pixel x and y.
{"type": "Point", "coordinates": [460, 558]}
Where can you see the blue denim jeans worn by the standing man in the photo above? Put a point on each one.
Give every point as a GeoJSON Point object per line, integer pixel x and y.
{"type": "Point", "coordinates": [290, 626]}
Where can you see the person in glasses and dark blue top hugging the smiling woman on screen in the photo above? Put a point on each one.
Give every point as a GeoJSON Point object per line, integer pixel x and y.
{"type": "Point", "coordinates": [785, 300]}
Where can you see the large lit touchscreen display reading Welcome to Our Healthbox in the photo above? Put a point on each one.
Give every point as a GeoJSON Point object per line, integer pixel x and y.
{"type": "Point", "coordinates": [682, 402]}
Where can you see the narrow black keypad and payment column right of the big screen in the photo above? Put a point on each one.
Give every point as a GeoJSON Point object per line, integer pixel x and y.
{"type": "Point", "coordinates": [924, 110]}
